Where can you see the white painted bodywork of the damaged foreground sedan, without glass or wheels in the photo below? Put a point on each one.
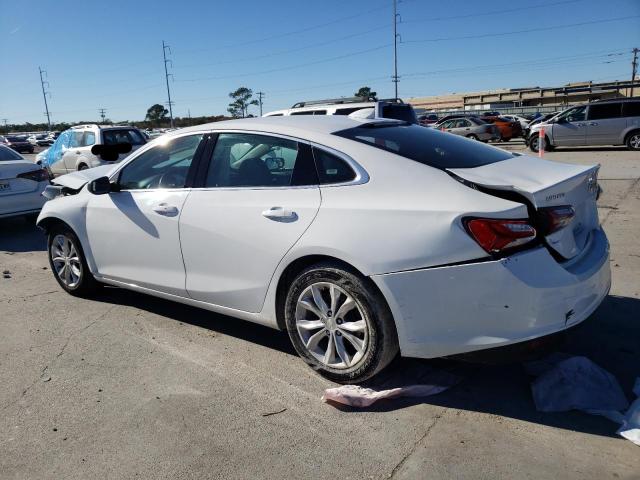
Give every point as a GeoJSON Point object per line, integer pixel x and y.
{"type": "Point", "coordinates": [401, 227]}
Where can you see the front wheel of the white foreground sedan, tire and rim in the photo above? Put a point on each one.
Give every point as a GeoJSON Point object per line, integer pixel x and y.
{"type": "Point", "coordinates": [74, 275]}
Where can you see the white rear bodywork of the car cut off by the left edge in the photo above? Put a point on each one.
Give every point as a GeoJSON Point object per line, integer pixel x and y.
{"type": "Point", "coordinates": [19, 196]}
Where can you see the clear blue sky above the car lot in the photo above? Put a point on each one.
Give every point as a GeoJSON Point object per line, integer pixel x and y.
{"type": "Point", "coordinates": [109, 54]}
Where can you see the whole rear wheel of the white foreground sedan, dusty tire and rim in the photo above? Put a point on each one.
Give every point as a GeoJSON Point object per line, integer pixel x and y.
{"type": "Point", "coordinates": [324, 340]}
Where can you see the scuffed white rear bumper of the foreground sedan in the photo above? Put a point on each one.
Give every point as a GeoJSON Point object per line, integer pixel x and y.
{"type": "Point", "coordinates": [456, 309]}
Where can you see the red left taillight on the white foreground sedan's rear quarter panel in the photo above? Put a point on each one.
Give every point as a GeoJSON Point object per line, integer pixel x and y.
{"type": "Point", "coordinates": [496, 235]}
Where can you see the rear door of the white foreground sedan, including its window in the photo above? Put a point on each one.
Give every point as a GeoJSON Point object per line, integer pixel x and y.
{"type": "Point", "coordinates": [259, 195]}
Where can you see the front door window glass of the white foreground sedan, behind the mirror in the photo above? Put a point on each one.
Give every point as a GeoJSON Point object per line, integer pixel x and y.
{"type": "Point", "coordinates": [163, 166]}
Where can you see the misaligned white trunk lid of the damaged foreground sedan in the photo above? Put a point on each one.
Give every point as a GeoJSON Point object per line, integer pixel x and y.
{"type": "Point", "coordinates": [546, 184]}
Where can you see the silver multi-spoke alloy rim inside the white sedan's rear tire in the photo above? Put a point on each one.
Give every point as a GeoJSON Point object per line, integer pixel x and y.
{"type": "Point", "coordinates": [331, 325]}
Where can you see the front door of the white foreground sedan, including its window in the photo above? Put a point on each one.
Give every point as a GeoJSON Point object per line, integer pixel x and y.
{"type": "Point", "coordinates": [133, 233]}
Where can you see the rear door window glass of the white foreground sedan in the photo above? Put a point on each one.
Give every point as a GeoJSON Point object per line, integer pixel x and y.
{"type": "Point", "coordinates": [250, 160]}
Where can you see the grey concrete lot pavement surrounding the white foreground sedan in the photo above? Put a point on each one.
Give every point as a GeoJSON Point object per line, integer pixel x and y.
{"type": "Point", "coordinates": [127, 385]}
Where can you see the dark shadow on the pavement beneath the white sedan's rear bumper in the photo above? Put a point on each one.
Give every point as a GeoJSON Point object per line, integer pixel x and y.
{"type": "Point", "coordinates": [609, 338]}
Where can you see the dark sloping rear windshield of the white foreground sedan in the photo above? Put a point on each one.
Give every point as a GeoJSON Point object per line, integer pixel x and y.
{"type": "Point", "coordinates": [426, 145]}
